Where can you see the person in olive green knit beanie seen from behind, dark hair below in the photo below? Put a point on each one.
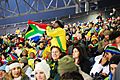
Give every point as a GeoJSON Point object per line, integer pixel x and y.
{"type": "Point", "coordinates": [68, 70]}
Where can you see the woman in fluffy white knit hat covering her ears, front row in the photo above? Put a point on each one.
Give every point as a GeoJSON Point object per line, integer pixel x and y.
{"type": "Point", "coordinates": [42, 70]}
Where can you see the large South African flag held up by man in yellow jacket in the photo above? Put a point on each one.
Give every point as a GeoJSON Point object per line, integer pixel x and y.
{"type": "Point", "coordinates": [35, 30]}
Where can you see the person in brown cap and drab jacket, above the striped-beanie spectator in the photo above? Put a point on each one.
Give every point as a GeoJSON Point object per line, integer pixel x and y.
{"type": "Point", "coordinates": [104, 42]}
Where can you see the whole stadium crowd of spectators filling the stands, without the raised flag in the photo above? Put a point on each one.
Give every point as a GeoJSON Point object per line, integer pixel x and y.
{"type": "Point", "coordinates": [87, 51]}
